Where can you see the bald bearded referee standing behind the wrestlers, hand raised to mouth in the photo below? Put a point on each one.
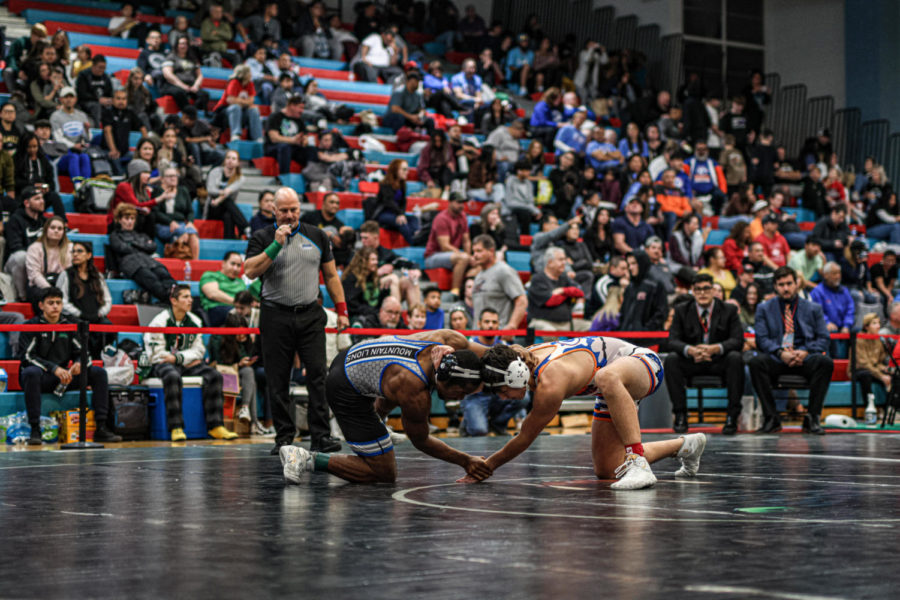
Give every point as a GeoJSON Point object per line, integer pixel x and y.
{"type": "Point", "coordinates": [288, 257]}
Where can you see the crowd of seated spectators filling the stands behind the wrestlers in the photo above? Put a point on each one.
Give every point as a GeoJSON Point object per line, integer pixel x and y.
{"type": "Point", "coordinates": [634, 209]}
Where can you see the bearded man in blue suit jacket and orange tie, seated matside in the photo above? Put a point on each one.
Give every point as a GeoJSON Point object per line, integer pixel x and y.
{"type": "Point", "coordinates": [791, 337]}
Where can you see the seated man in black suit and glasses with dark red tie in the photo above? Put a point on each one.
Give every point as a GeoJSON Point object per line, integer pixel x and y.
{"type": "Point", "coordinates": [705, 337]}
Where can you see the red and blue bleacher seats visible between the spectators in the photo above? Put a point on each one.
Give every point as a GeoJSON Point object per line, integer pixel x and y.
{"type": "Point", "coordinates": [86, 23]}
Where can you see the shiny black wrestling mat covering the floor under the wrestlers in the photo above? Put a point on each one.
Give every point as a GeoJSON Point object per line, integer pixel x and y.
{"type": "Point", "coordinates": [794, 517]}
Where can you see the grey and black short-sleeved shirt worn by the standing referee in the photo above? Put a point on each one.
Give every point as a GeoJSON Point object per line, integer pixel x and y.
{"type": "Point", "coordinates": [293, 279]}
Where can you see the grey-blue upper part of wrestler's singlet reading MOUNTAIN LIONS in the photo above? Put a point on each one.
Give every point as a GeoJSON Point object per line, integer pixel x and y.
{"type": "Point", "coordinates": [366, 362]}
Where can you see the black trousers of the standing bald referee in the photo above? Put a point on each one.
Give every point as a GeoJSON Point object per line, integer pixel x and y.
{"type": "Point", "coordinates": [284, 333]}
